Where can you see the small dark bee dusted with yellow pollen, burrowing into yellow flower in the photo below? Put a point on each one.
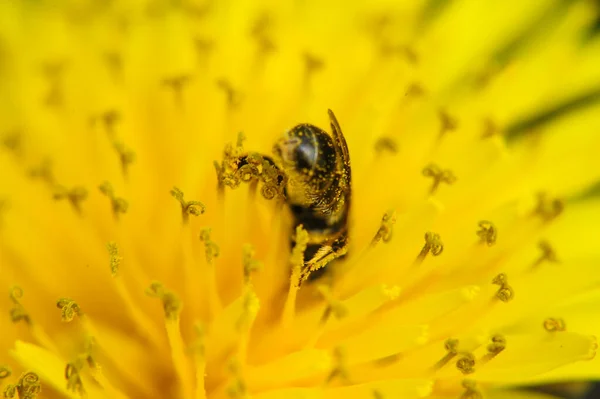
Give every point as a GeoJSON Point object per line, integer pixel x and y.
{"type": "Point", "coordinates": [310, 170]}
